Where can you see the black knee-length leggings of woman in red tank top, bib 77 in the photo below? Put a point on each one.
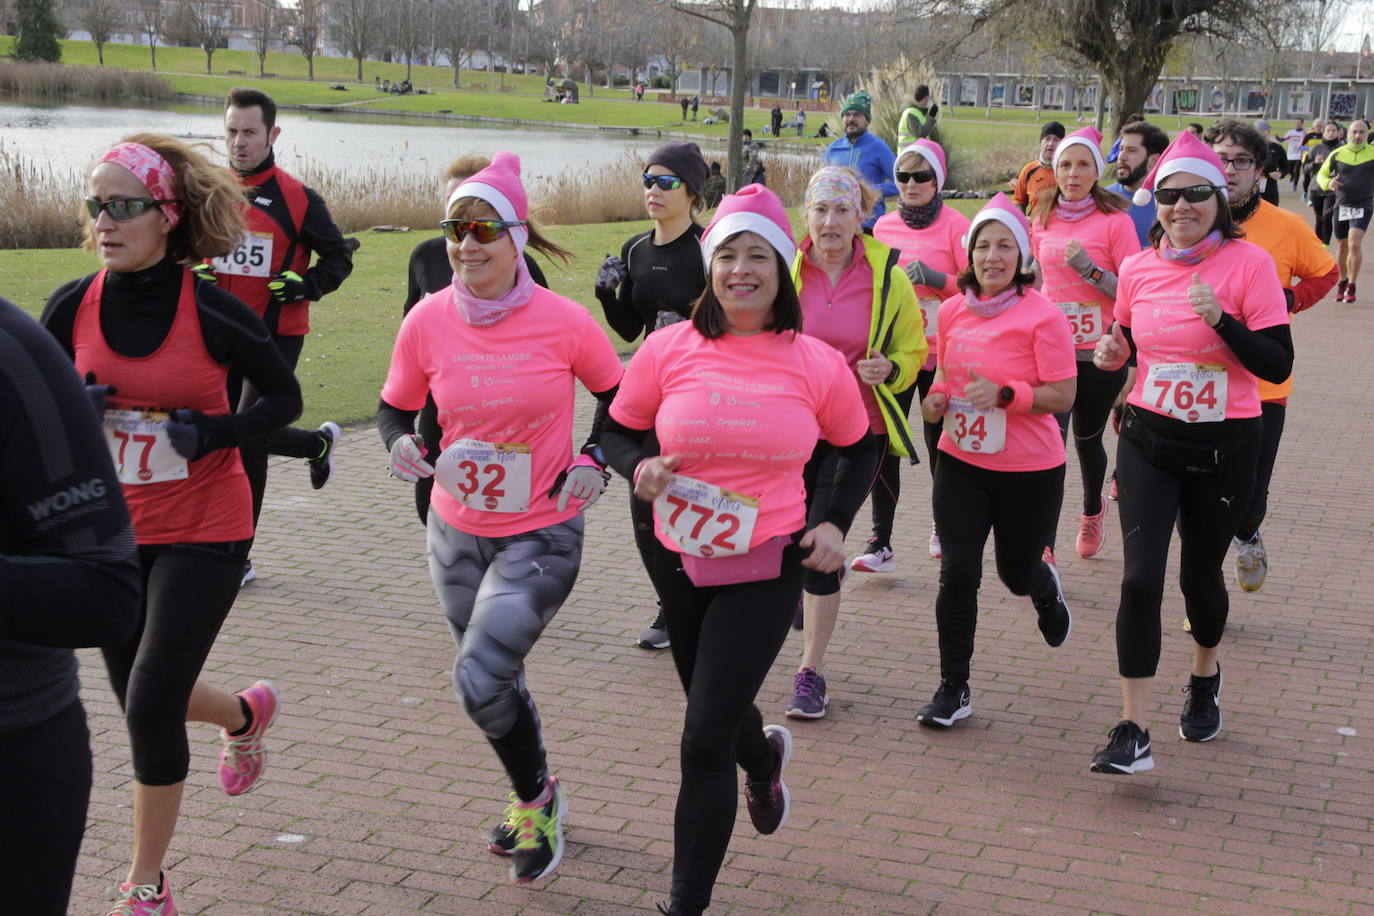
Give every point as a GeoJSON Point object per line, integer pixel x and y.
{"type": "Point", "coordinates": [188, 593]}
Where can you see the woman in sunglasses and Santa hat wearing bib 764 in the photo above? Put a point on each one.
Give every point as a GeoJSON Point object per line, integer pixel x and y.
{"type": "Point", "coordinates": [1203, 317]}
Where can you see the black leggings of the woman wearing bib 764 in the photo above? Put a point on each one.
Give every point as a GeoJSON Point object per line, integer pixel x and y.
{"type": "Point", "coordinates": [1207, 512]}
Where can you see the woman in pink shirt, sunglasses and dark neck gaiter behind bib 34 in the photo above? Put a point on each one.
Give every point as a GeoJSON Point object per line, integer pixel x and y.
{"type": "Point", "coordinates": [930, 240]}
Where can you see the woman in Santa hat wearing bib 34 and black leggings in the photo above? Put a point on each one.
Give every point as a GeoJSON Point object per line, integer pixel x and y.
{"type": "Point", "coordinates": [1006, 365]}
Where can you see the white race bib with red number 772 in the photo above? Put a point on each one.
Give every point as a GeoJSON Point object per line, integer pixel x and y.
{"type": "Point", "coordinates": [706, 520]}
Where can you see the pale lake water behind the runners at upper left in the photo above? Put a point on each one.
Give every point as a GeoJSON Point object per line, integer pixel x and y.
{"type": "Point", "coordinates": [69, 138]}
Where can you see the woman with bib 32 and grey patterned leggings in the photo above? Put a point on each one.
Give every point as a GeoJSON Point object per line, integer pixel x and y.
{"type": "Point", "coordinates": [501, 358]}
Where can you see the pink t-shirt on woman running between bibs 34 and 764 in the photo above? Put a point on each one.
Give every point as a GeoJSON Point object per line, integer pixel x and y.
{"type": "Point", "coordinates": [1110, 240]}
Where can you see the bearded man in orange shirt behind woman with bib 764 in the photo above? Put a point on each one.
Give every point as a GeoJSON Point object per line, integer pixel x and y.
{"type": "Point", "coordinates": [1307, 274]}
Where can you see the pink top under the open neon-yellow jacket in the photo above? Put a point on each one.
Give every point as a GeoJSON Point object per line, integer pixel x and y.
{"type": "Point", "coordinates": [843, 317]}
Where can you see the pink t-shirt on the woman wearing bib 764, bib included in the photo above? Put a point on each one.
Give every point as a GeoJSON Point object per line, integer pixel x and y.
{"type": "Point", "coordinates": [1181, 362]}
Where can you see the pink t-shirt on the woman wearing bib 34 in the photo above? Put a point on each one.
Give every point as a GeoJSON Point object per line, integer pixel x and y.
{"type": "Point", "coordinates": [1028, 343]}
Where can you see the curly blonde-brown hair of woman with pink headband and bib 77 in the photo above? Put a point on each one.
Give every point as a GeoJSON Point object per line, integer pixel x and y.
{"type": "Point", "coordinates": [211, 197]}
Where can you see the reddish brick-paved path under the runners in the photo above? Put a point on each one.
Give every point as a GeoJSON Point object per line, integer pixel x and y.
{"type": "Point", "coordinates": [380, 788]}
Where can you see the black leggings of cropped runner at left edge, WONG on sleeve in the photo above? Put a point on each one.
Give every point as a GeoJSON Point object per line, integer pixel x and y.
{"type": "Point", "coordinates": [45, 790]}
